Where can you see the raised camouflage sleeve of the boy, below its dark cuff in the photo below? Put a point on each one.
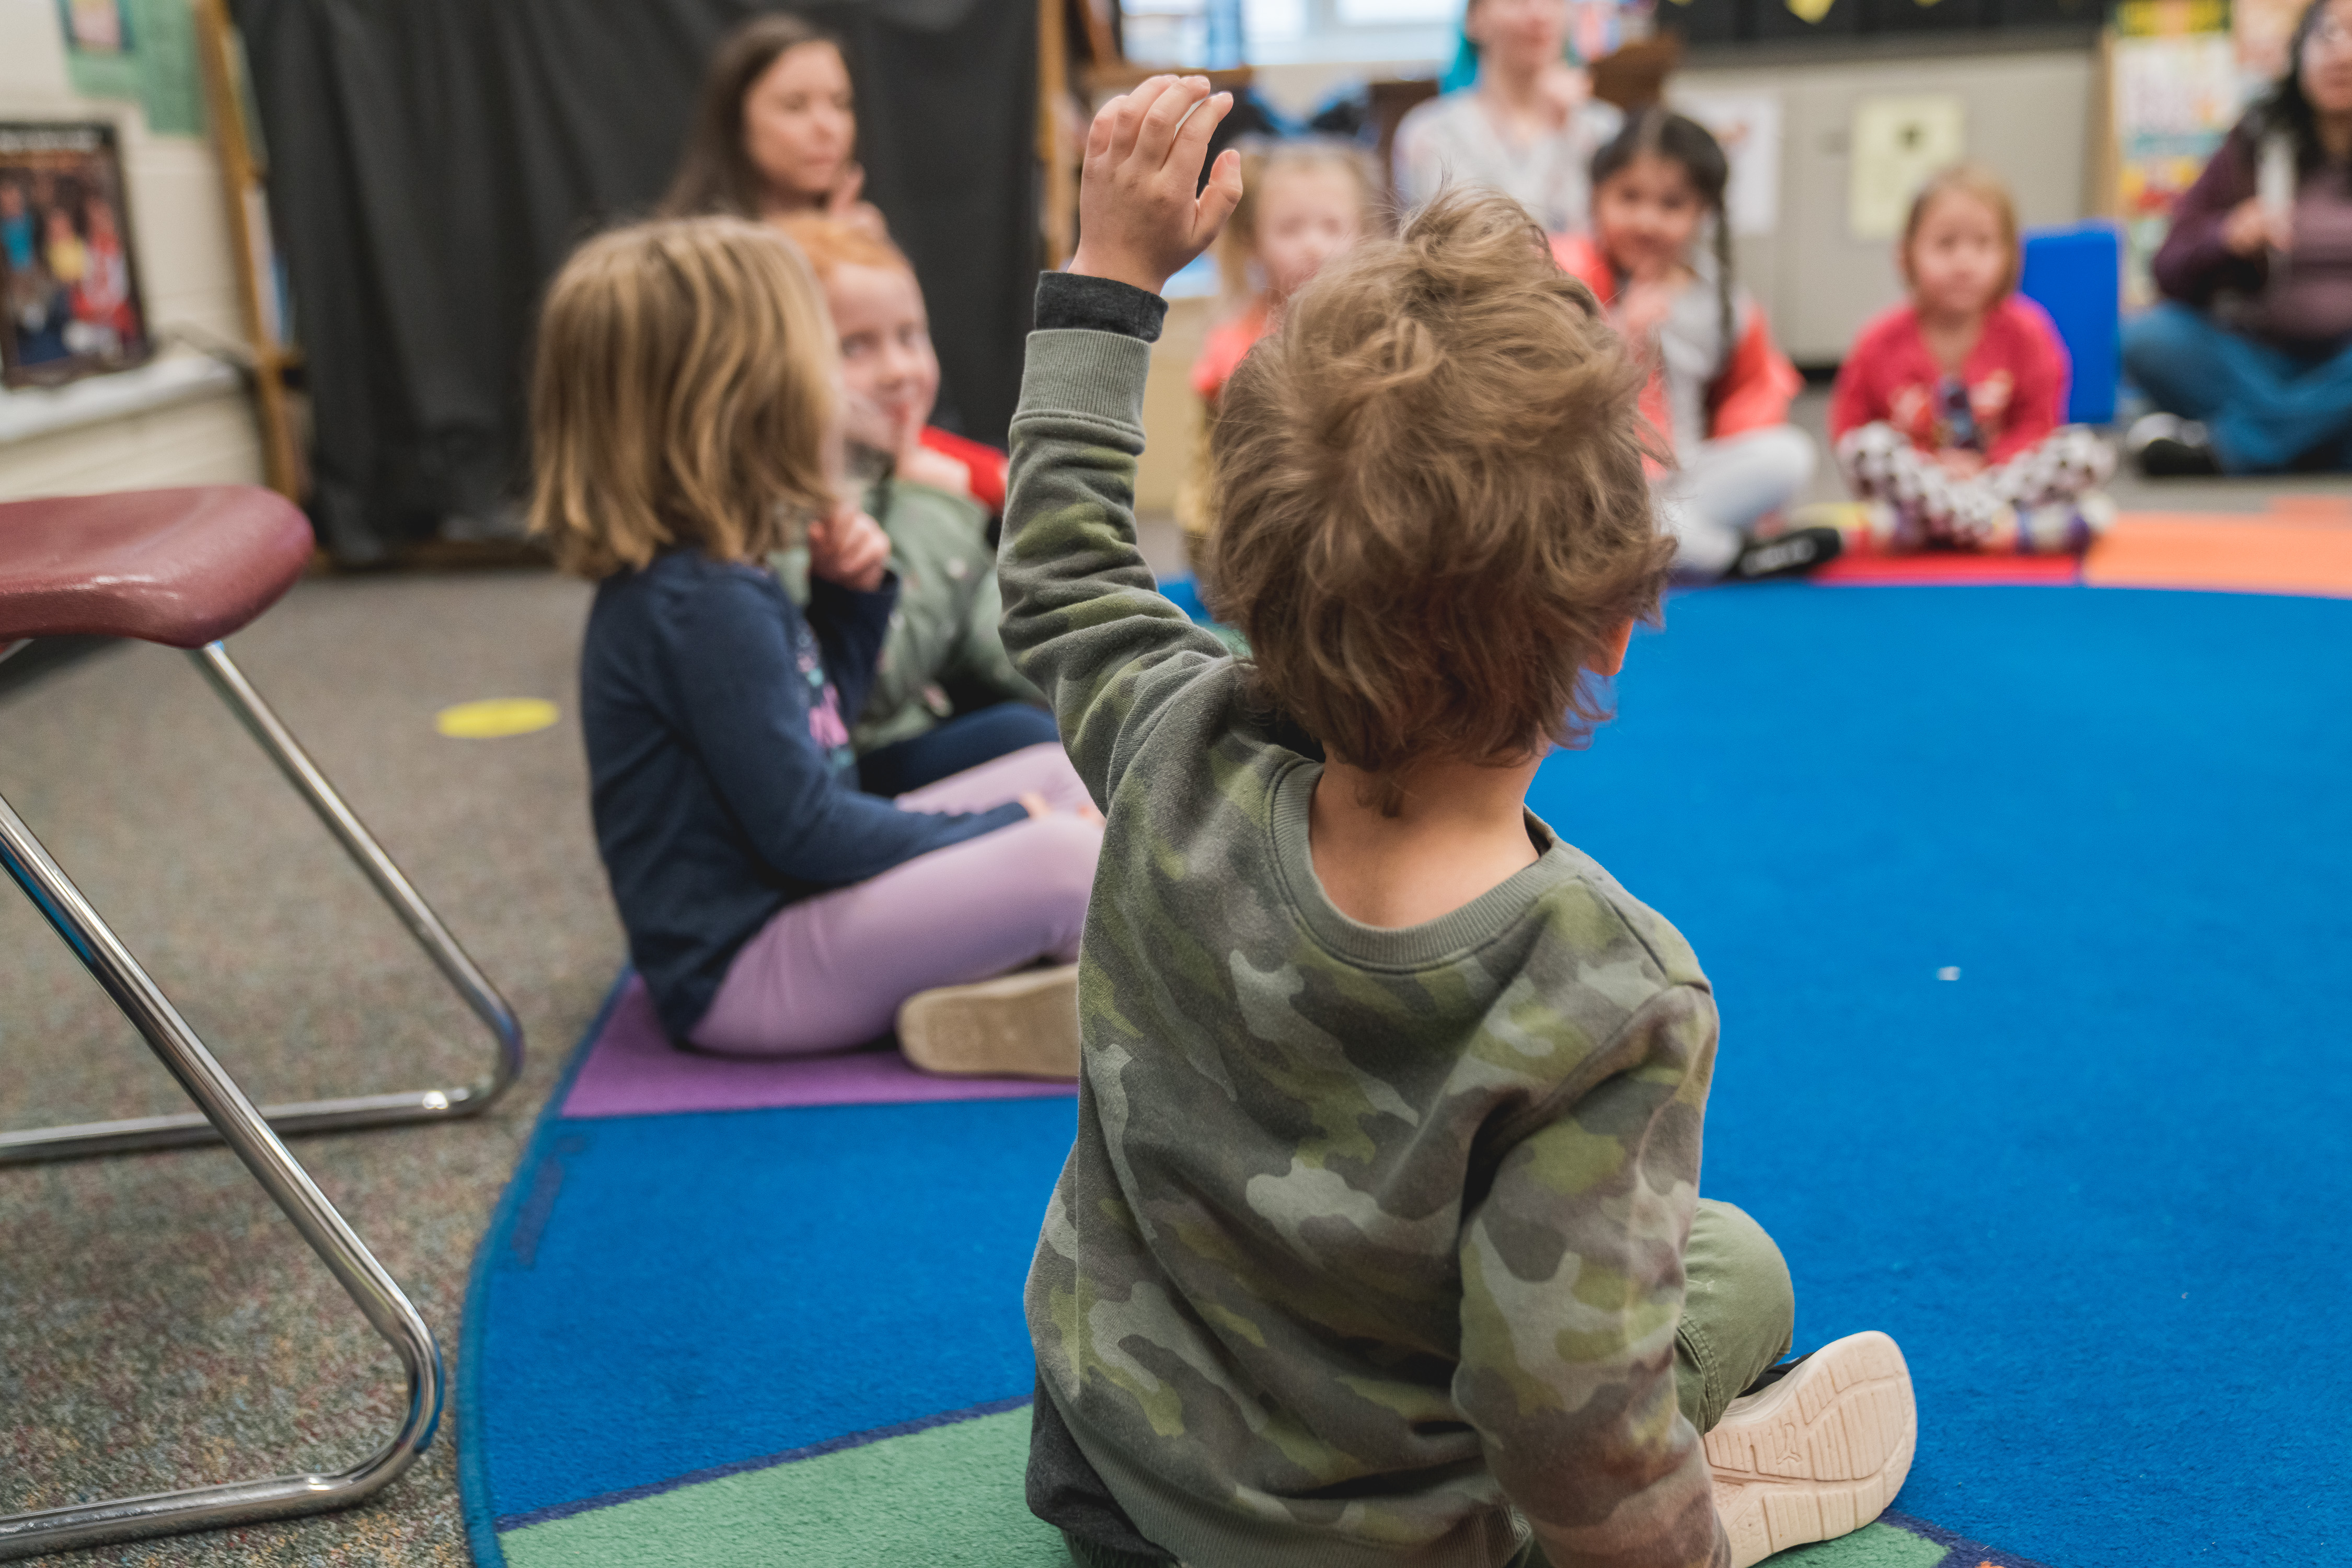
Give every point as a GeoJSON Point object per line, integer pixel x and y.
{"type": "Point", "coordinates": [1083, 617]}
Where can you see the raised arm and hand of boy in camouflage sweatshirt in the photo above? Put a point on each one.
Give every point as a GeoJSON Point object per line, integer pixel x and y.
{"type": "Point", "coordinates": [1081, 612]}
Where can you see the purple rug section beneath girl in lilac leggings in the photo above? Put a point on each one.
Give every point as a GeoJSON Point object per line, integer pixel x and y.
{"type": "Point", "coordinates": [632, 1071]}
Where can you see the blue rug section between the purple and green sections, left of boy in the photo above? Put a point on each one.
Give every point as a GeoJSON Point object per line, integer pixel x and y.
{"type": "Point", "coordinates": [730, 1285]}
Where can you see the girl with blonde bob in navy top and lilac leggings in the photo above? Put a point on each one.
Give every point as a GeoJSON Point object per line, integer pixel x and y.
{"type": "Point", "coordinates": [683, 427]}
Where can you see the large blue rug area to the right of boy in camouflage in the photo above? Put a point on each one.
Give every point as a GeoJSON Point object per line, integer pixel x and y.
{"type": "Point", "coordinates": [2090, 1184]}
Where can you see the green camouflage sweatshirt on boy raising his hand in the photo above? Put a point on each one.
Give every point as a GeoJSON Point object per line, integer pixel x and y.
{"type": "Point", "coordinates": [1370, 1235]}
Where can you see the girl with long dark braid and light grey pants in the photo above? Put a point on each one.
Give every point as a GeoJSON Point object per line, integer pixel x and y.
{"type": "Point", "coordinates": [1718, 387]}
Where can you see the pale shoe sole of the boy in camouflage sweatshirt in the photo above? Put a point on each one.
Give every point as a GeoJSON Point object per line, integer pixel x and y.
{"type": "Point", "coordinates": [1819, 1454]}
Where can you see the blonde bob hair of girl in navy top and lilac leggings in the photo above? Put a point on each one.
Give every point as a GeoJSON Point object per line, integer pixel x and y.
{"type": "Point", "coordinates": [683, 396]}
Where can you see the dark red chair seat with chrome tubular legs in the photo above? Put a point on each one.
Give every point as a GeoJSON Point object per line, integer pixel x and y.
{"type": "Point", "coordinates": [187, 568]}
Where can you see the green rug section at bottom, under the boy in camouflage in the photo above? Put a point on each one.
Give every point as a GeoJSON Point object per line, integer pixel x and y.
{"type": "Point", "coordinates": [944, 1499]}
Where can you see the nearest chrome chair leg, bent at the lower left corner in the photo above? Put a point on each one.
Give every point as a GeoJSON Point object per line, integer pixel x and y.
{"type": "Point", "coordinates": [236, 1120]}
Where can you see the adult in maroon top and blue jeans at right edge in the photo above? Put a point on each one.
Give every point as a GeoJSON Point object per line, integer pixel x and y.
{"type": "Point", "coordinates": [2250, 356]}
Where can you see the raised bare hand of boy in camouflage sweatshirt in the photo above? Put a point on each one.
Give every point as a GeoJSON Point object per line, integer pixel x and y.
{"type": "Point", "coordinates": [1137, 208]}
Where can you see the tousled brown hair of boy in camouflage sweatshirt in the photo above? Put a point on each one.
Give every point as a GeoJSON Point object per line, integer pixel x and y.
{"type": "Point", "coordinates": [1434, 497]}
